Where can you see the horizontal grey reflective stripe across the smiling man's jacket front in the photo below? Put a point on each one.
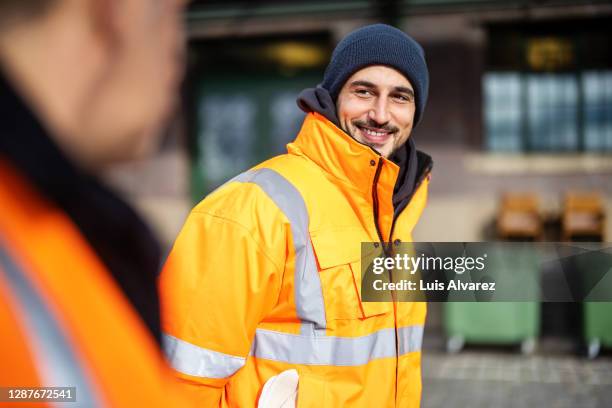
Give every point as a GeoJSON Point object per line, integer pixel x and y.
{"type": "Point", "coordinates": [330, 350]}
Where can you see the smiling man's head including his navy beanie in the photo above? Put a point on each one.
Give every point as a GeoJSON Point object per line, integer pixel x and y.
{"type": "Point", "coordinates": [378, 79]}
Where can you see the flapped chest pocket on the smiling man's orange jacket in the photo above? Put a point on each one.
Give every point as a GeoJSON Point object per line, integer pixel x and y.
{"type": "Point", "coordinates": [338, 253]}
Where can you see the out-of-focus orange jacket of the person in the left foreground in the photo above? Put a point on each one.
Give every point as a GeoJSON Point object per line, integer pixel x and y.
{"type": "Point", "coordinates": [63, 320]}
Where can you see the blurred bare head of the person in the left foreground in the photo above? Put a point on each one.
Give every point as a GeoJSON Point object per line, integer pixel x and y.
{"type": "Point", "coordinates": [102, 75]}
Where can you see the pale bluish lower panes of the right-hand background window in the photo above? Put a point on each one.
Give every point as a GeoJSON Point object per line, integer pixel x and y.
{"type": "Point", "coordinates": [548, 112]}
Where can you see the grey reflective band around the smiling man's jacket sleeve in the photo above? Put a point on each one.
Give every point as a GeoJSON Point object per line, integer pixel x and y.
{"type": "Point", "coordinates": [197, 361]}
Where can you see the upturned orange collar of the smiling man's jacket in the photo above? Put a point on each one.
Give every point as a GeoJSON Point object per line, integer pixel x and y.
{"type": "Point", "coordinates": [342, 157]}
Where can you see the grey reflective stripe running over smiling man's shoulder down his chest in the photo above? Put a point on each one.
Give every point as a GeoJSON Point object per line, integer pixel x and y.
{"type": "Point", "coordinates": [308, 293]}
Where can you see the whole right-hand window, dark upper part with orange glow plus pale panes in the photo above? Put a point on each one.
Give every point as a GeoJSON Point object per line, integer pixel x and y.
{"type": "Point", "coordinates": [548, 87]}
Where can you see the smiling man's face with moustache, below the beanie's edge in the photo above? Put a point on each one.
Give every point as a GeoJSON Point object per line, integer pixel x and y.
{"type": "Point", "coordinates": [376, 107]}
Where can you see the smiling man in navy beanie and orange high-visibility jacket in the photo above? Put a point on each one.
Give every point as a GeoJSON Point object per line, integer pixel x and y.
{"type": "Point", "coordinates": [261, 293]}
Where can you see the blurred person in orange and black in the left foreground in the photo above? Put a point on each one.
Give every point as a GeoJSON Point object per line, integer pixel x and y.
{"type": "Point", "coordinates": [83, 84]}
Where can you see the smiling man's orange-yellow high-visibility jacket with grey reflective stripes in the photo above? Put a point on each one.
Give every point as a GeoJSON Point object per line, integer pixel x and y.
{"type": "Point", "coordinates": [265, 276]}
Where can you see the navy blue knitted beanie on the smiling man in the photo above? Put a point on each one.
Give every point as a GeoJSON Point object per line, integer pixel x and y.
{"type": "Point", "coordinates": [379, 44]}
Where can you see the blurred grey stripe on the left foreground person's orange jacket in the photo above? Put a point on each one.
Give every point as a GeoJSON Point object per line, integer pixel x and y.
{"type": "Point", "coordinates": [56, 362]}
